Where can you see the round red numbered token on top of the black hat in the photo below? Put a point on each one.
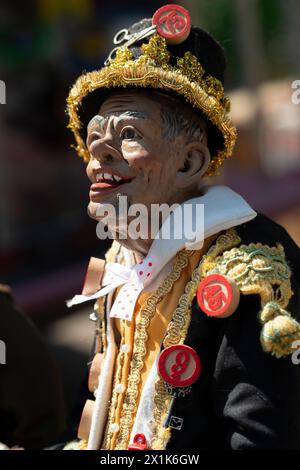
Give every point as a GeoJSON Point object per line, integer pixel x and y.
{"type": "Point", "coordinates": [172, 22]}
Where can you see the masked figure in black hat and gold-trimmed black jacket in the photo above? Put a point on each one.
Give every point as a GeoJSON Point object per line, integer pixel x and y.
{"type": "Point", "coordinates": [193, 342]}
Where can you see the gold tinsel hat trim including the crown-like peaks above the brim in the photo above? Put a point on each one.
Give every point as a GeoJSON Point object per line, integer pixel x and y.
{"type": "Point", "coordinates": [152, 70]}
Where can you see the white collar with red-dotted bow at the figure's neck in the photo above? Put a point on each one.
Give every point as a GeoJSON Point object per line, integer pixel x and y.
{"type": "Point", "coordinates": [223, 209]}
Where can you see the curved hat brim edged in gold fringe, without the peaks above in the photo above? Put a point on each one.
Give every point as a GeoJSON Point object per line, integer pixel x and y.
{"type": "Point", "coordinates": [150, 77]}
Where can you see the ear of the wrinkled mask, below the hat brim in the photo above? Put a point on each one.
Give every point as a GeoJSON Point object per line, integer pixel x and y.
{"type": "Point", "coordinates": [196, 162]}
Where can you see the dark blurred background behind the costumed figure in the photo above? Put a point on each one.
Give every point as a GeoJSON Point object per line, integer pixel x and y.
{"type": "Point", "coordinates": [46, 237]}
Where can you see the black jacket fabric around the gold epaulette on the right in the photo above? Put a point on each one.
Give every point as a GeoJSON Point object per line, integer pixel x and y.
{"type": "Point", "coordinates": [244, 398]}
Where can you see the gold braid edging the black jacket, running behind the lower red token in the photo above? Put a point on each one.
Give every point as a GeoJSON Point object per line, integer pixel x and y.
{"type": "Point", "coordinates": [177, 331]}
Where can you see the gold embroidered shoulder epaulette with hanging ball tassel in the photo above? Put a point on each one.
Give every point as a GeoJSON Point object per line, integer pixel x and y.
{"type": "Point", "coordinates": [261, 269]}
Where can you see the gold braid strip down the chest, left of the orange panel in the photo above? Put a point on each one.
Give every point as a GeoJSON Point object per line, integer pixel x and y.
{"type": "Point", "coordinates": [140, 340]}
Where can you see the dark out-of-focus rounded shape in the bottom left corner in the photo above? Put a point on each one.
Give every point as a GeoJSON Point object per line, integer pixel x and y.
{"type": "Point", "coordinates": [31, 401]}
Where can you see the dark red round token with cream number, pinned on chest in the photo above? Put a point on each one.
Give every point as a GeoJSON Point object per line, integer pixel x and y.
{"type": "Point", "coordinates": [179, 365]}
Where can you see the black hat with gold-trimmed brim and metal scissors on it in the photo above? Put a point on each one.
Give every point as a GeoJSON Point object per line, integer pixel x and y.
{"type": "Point", "coordinates": [192, 69]}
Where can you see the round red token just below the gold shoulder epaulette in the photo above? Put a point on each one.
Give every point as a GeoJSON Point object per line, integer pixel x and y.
{"type": "Point", "coordinates": [218, 295]}
